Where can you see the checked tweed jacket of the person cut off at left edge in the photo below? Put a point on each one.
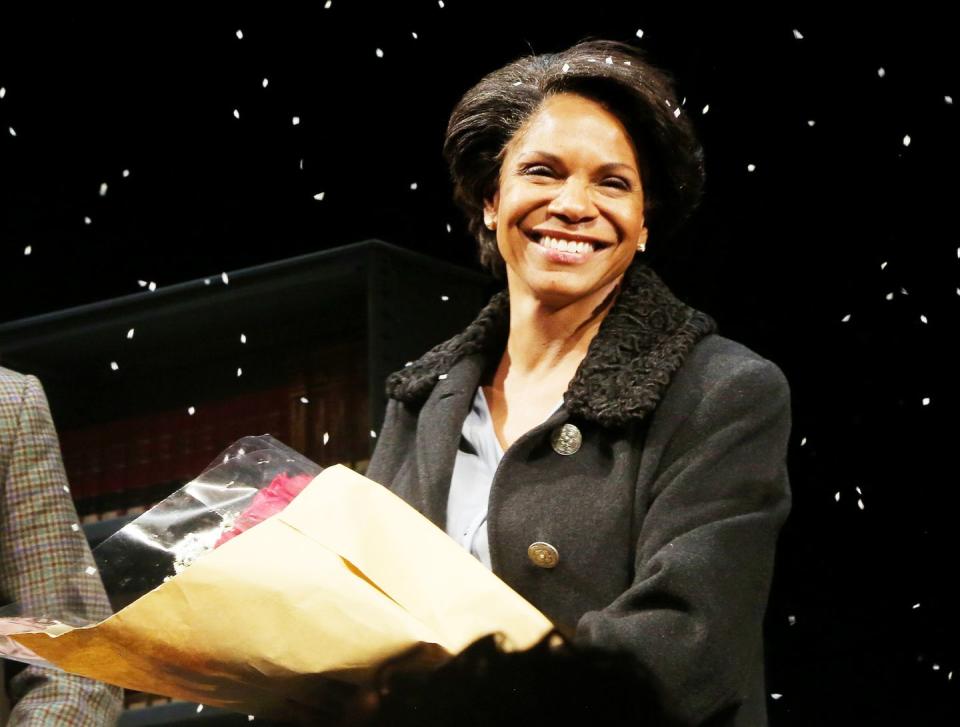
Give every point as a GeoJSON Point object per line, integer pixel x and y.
{"type": "Point", "coordinates": [43, 559]}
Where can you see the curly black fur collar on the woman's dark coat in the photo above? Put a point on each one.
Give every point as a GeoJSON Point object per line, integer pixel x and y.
{"type": "Point", "coordinates": [640, 344]}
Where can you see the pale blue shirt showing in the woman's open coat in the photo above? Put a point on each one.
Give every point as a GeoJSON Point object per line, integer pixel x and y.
{"type": "Point", "coordinates": [478, 457]}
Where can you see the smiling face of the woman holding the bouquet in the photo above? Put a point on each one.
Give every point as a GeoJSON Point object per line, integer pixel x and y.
{"type": "Point", "coordinates": [569, 207]}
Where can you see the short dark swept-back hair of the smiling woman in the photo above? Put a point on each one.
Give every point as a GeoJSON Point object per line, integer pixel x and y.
{"type": "Point", "coordinates": [612, 73]}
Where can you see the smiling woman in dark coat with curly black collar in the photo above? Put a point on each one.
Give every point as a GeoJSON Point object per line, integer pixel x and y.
{"type": "Point", "coordinates": [589, 436]}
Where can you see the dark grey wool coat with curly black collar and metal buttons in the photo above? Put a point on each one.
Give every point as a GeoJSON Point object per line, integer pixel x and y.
{"type": "Point", "coordinates": [665, 519]}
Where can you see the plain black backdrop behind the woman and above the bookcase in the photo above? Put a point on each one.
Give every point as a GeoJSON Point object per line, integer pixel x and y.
{"type": "Point", "coordinates": [779, 256]}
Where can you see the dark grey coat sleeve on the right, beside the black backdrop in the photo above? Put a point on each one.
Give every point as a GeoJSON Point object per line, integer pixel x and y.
{"type": "Point", "coordinates": [718, 495]}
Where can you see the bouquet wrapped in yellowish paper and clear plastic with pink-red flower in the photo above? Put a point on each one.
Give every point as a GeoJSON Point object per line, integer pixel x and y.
{"type": "Point", "coordinates": [266, 580]}
